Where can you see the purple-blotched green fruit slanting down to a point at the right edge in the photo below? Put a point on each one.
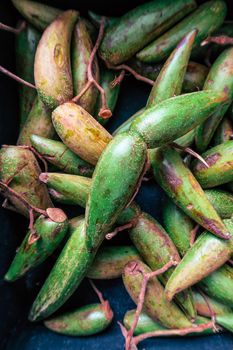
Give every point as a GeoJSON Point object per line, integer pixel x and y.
{"type": "Point", "coordinates": [181, 186]}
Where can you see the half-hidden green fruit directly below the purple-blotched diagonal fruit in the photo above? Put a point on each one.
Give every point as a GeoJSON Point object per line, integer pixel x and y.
{"type": "Point", "coordinates": [178, 226]}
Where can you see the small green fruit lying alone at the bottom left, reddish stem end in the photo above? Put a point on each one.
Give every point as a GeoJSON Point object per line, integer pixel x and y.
{"type": "Point", "coordinates": [87, 320]}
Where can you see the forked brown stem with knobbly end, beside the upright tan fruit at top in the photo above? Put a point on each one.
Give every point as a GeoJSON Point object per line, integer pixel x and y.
{"type": "Point", "coordinates": [104, 112]}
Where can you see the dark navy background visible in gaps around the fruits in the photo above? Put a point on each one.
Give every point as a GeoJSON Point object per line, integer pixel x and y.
{"type": "Point", "coordinates": [15, 299]}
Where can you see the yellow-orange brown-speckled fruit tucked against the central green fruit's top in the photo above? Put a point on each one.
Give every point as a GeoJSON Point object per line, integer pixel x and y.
{"type": "Point", "coordinates": [80, 131]}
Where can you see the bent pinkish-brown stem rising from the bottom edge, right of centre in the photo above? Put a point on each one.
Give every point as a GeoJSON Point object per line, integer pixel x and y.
{"type": "Point", "coordinates": [146, 278]}
